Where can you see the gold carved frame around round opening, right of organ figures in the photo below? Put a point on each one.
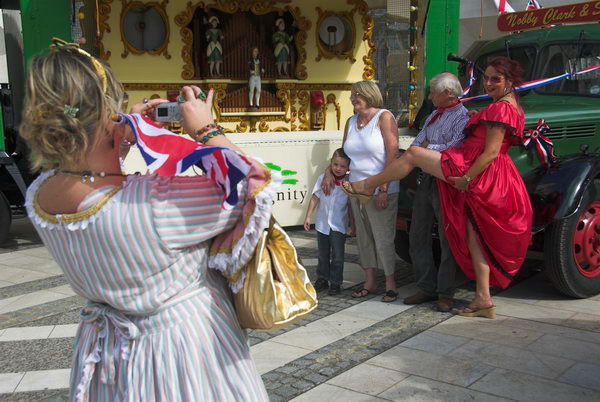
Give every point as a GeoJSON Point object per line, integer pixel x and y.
{"type": "Point", "coordinates": [343, 50]}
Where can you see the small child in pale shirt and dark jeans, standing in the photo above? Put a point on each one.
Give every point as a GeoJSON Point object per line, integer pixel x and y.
{"type": "Point", "coordinates": [331, 224]}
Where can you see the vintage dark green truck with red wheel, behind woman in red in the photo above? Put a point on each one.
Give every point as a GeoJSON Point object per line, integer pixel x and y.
{"type": "Point", "coordinates": [566, 196]}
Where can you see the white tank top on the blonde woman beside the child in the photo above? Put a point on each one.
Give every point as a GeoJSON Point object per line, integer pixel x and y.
{"type": "Point", "coordinates": [366, 150]}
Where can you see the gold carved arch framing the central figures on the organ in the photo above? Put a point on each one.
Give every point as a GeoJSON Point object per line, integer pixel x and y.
{"type": "Point", "coordinates": [257, 7]}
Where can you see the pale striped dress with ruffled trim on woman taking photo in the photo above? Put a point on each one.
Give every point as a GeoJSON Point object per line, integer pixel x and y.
{"type": "Point", "coordinates": [159, 324]}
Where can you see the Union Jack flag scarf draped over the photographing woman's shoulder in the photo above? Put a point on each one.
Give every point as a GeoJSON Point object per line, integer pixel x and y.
{"type": "Point", "coordinates": [169, 154]}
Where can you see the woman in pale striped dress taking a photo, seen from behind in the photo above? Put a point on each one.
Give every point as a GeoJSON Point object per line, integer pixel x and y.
{"type": "Point", "coordinates": [159, 324]}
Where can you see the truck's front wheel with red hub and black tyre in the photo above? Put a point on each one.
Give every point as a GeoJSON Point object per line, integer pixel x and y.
{"type": "Point", "coordinates": [572, 248]}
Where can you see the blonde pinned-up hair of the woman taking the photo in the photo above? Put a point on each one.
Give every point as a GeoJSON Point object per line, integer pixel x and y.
{"type": "Point", "coordinates": [57, 82]}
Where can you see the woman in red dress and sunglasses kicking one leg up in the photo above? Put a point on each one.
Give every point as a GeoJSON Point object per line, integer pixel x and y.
{"type": "Point", "coordinates": [486, 209]}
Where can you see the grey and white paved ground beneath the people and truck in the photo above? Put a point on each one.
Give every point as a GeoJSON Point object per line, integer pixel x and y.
{"type": "Point", "coordinates": [541, 347]}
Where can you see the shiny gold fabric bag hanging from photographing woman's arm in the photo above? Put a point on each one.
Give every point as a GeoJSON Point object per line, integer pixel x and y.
{"type": "Point", "coordinates": [276, 291]}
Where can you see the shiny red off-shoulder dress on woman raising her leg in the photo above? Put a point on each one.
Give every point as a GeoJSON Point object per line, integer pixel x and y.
{"type": "Point", "coordinates": [496, 203]}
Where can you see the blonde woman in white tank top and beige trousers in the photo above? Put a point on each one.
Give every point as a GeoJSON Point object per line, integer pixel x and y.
{"type": "Point", "coordinates": [371, 142]}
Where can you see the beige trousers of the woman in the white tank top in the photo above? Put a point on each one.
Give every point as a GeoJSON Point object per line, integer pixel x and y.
{"type": "Point", "coordinates": [375, 233]}
